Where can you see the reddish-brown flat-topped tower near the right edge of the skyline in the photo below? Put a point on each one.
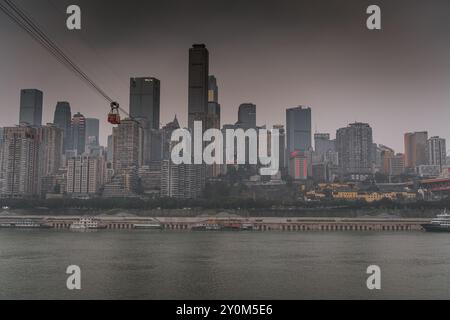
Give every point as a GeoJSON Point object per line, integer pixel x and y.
{"type": "Point", "coordinates": [415, 149]}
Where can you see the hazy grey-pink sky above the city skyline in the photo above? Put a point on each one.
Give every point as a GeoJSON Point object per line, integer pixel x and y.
{"type": "Point", "coordinates": [276, 54]}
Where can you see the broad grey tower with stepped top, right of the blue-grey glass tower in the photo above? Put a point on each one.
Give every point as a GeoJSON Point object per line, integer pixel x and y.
{"type": "Point", "coordinates": [354, 145]}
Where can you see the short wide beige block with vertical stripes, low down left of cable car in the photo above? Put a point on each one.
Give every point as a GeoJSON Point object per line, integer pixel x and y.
{"type": "Point", "coordinates": [85, 175]}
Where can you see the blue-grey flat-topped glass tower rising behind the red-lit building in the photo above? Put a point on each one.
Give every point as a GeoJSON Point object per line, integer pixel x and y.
{"type": "Point", "coordinates": [298, 129]}
